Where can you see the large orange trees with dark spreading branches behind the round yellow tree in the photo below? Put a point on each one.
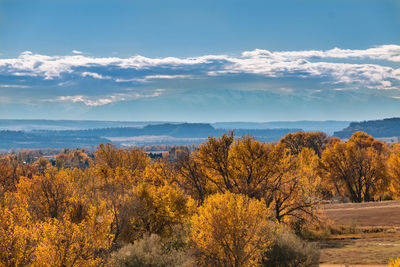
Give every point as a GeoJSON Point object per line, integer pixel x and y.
{"type": "Point", "coordinates": [263, 171]}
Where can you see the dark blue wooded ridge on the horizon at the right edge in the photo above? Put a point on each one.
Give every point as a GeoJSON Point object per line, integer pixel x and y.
{"type": "Point", "coordinates": [377, 128]}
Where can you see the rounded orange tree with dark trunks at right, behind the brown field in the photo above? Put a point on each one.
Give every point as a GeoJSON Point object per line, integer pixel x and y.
{"type": "Point", "coordinates": [356, 168]}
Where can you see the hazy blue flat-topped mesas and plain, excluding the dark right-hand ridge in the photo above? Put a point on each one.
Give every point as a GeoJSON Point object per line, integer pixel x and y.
{"type": "Point", "coordinates": [167, 133]}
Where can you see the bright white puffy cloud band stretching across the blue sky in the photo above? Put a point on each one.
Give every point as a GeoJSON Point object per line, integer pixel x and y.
{"type": "Point", "coordinates": [301, 64]}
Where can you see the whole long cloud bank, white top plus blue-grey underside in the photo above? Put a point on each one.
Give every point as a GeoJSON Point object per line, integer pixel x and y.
{"type": "Point", "coordinates": [76, 78]}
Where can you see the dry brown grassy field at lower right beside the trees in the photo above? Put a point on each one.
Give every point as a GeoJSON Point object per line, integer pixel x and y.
{"type": "Point", "coordinates": [370, 234]}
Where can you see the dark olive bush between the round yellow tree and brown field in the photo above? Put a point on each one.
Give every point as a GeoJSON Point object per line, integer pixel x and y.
{"type": "Point", "coordinates": [289, 250]}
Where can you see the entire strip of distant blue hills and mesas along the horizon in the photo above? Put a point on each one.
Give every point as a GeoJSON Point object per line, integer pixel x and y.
{"type": "Point", "coordinates": [29, 134]}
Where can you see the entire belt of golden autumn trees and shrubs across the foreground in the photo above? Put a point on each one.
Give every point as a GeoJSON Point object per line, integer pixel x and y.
{"type": "Point", "coordinates": [227, 202]}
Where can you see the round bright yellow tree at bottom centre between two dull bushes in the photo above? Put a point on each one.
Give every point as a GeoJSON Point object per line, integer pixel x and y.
{"type": "Point", "coordinates": [231, 230]}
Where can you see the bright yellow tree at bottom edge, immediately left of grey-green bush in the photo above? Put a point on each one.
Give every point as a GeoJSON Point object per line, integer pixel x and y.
{"type": "Point", "coordinates": [64, 243]}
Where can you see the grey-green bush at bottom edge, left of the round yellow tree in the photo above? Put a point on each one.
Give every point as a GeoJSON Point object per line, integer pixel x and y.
{"type": "Point", "coordinates": [150, 251]}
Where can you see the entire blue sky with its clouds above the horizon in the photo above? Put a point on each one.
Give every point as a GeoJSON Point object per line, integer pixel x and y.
{"type": "Point", "coordinates": [200, 61]}
